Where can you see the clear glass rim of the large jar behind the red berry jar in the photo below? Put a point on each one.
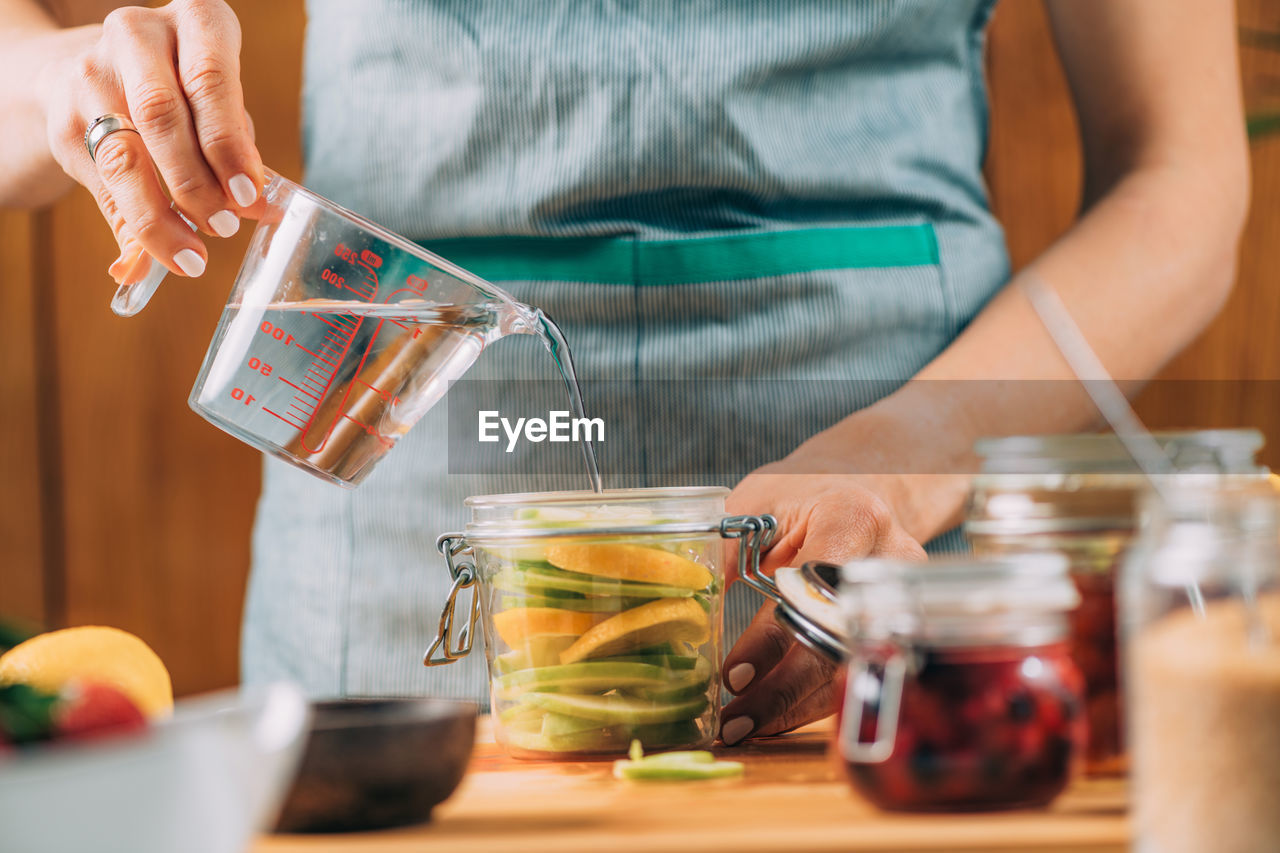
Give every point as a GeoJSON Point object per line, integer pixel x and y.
{"type": "Point", "coordinates": [1223, 451]}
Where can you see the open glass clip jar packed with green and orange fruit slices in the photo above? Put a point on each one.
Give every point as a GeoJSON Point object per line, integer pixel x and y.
{"type": "Point", "coordinates": [601, 615]}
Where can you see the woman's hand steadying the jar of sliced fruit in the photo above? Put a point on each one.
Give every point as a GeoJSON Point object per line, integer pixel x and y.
{"type": "Point", "coordinates": [863, 489]}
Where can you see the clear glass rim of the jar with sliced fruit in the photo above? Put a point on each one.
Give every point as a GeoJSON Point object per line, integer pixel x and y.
{"type": "Point", "coordinates": [657, 510]}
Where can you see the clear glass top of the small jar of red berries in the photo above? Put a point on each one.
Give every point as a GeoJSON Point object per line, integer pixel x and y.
{"type": "Point", "coordinates": [959, 599]}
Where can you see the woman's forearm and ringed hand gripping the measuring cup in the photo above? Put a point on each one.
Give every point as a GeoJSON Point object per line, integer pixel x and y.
{"type": "Point", "coordinates": [175, 72]}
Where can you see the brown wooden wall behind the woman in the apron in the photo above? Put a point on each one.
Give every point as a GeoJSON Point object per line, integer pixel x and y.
{"type": "Point", "coordinates": [121, 507]}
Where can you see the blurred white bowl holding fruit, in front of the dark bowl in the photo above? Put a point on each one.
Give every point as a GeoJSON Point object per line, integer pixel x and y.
{"type": "Point", "coordinates": [204, 782]}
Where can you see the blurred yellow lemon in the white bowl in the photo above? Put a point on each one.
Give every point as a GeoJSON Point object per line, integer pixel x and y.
{"type": "Point", "coordinates": [92, 654]}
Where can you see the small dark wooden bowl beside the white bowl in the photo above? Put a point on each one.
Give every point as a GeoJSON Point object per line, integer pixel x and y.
{"type": "Point", "coordinates": [374, 764]}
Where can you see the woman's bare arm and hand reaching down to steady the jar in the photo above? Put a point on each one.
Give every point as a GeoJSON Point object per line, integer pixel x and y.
{"type": "Point", "coordinates": [1146, 267]}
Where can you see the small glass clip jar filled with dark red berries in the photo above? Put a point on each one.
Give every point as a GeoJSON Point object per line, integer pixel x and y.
{"type": "Point", "coordinates": [961, 688]}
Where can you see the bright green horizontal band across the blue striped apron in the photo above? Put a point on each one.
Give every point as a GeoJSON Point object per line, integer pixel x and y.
{"type": "Point", "coordinates": [628, 261]}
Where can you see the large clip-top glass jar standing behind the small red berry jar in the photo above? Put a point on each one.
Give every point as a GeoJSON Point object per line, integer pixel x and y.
{"type": "Point", "coordinates": [1078, 496]}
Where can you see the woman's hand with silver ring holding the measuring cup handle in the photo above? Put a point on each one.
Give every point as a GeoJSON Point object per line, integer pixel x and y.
{"type": "Point", "coordinates": [176, 74]}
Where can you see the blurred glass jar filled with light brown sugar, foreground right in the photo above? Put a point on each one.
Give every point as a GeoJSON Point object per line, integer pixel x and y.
{"type": "Point", "coordinates": [1201, 624]}
